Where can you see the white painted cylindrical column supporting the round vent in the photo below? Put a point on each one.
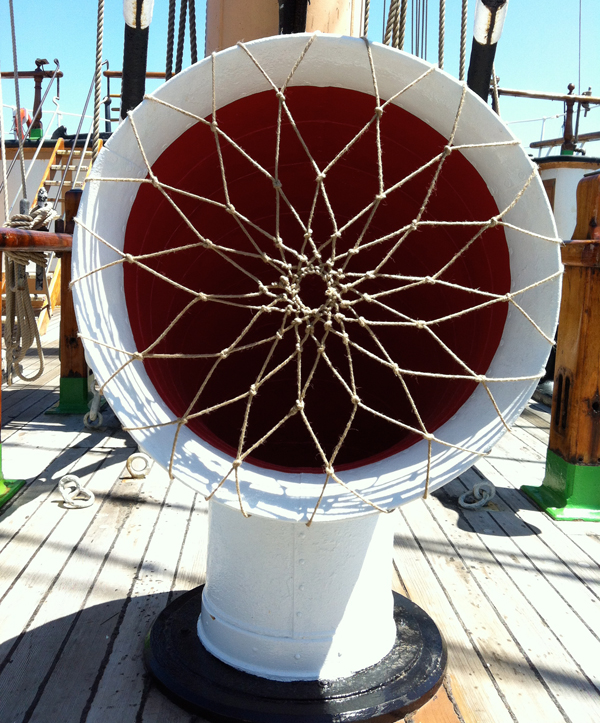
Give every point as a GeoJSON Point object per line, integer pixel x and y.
{"type": "Point", "coordinates": [290, 602]}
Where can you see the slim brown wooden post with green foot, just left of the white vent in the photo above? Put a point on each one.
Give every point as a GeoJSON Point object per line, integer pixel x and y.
{"type": "Point", "coordinates": [74, 395]}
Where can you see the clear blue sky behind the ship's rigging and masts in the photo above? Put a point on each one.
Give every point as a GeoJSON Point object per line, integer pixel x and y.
{"type": "Point", "coordinates": [539, 50]}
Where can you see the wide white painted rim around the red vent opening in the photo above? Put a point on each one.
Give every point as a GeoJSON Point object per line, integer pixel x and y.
{"type": "Point", "coordinates": [338, 62]}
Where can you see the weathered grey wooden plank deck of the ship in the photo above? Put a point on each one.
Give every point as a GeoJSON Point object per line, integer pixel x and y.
{"type": "Point", "coordinates": [516, 595]}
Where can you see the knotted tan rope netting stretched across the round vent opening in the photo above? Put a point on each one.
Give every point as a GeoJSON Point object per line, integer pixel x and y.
{"type": "Point", "coordinates": [310, 327]}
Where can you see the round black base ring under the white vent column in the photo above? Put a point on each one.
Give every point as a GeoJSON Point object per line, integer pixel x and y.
{"type": "Point", "coordinates": [401, 682]}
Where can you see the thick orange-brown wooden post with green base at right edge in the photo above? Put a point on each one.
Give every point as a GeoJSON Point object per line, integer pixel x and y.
{"type": "Point", "coordinates": [571, 487]}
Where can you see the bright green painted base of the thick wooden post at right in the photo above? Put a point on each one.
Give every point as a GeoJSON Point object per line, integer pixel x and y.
{"type": "Point", "coordinates": [569, 491]}
